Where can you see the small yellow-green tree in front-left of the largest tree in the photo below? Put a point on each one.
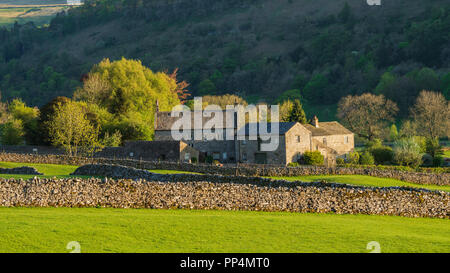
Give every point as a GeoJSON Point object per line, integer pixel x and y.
{"type": "Point", "coordinates": [71, 129]}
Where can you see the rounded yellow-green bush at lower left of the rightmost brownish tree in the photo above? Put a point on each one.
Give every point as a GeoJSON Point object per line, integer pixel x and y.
{"type": "Point", "coordinates": [407, 153]}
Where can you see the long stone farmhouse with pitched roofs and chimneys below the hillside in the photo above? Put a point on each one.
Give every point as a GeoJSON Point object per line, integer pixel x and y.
{"type": "Point", "coordinates": [330, 138]}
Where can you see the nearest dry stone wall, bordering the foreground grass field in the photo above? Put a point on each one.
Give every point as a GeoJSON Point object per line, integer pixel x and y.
{"type": "Point", "coordinates": [225, 193]}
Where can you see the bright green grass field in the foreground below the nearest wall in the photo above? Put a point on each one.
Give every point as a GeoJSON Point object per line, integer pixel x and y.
{"type": "Point", "coordinates": [119, 230]}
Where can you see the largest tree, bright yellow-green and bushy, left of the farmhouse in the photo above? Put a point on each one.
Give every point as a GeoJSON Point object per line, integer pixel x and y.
{"type": "Point", "coordinates": [130, 92]}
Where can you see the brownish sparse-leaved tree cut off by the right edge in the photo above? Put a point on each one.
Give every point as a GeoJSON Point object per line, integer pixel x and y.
{"type": "Point", "coordinates": [431, 114]}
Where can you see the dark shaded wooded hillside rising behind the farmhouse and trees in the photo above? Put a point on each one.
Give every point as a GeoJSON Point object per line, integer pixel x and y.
{"type": "Point", "coordinates": [256, 48]}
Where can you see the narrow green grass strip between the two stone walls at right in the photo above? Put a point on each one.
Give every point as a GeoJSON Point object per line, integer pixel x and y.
{"type": "Point", "coordinates": [362, 180]}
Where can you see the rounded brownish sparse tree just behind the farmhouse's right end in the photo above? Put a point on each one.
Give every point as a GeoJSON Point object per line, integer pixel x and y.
{"type": "Point", "coordinates": [367, 115]}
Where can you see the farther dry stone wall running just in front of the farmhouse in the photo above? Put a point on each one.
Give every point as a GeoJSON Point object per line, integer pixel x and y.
{"type": "Point", "coordinates": [241, 170]}
